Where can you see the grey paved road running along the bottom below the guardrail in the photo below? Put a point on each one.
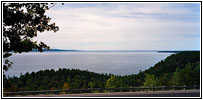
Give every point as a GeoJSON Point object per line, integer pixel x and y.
{"type": "Point", "coordinates": [180, 93]}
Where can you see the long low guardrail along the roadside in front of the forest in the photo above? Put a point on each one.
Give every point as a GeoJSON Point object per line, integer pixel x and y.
{"type": "Point", "coordinates": [91, 90]}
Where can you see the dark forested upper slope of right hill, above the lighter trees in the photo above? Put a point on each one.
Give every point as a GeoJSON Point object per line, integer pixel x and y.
{"type": "Point", "coordinates": [170, 64]}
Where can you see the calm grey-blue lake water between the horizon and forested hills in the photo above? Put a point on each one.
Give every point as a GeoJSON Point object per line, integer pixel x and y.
{"type": "Point", "coordinates": [118, 63]}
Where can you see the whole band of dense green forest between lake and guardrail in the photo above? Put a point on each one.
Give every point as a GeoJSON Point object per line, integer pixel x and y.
{"type": "Point", "coordinates": [182, 68]}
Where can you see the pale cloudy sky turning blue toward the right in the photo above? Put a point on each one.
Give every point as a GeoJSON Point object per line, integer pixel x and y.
{"type": "Point", "coordinates": [124, 26]}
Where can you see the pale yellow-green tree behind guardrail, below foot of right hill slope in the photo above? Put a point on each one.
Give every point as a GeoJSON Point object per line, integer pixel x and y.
{"type": "Point", "coordinates": [150, 80]}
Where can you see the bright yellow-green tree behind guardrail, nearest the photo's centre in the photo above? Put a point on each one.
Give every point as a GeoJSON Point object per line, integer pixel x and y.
{"type": "Point", "coordinates": [112, 82]}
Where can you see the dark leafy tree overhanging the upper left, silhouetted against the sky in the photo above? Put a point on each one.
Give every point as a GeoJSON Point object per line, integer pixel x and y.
{"type": "Point", "coordinates": [21, 23]}
